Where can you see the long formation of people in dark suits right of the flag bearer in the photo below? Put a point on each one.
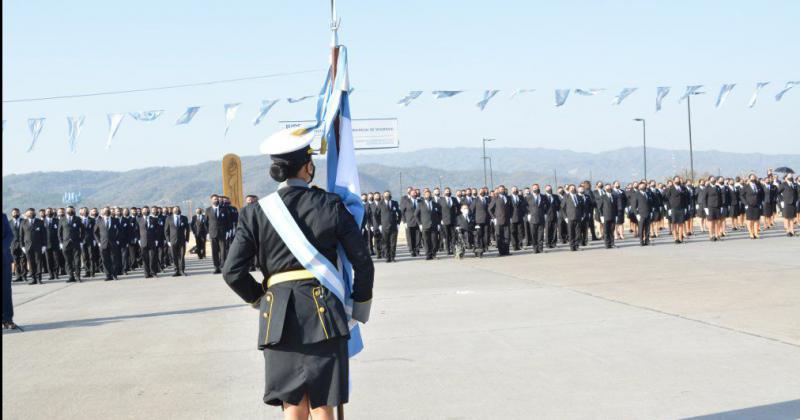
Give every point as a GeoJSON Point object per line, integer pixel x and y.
{"type": "Point", "coordinates": [475, 219]}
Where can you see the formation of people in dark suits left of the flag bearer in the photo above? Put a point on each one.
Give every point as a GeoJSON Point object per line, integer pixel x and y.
{"type": "Point", "coordinates": [114, 241]}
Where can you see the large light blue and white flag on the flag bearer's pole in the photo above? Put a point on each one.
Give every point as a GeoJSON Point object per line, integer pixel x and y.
{"type": "Point", "coordinates": [342, 178]}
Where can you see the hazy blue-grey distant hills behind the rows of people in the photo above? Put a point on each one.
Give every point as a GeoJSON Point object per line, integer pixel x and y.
{"type": "Point", "coordinates": [456, 167]}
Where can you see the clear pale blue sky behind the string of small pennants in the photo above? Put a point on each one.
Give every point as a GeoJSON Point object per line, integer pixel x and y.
{"type": "Point", "coordinates": [56, 48]}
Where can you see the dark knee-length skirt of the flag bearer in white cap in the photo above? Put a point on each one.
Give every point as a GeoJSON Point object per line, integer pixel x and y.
{"type": "Point", "coordinates": [294, 369]}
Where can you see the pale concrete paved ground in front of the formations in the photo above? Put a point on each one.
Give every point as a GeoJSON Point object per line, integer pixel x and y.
{"type": "Point", "coordinates": [670, 331]}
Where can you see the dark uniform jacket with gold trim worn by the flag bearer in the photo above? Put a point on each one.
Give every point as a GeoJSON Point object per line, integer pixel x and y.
{"type": "Point", "coordinates": [326, 223]}
